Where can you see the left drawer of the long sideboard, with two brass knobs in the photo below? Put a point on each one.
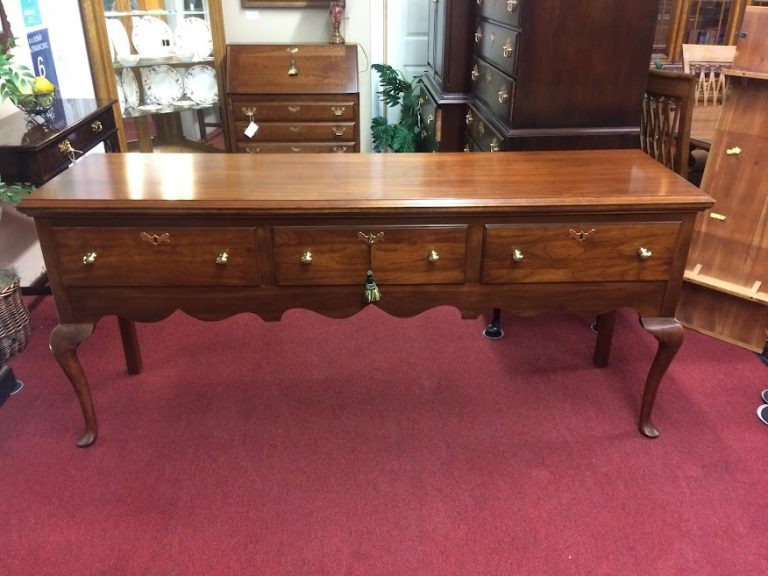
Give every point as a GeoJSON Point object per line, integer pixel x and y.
{"type": "Point", "coordinates": [156, 256]}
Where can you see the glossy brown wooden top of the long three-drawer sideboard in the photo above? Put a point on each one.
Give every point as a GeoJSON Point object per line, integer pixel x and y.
{"type": "Point", "coordinates": [510, 182]}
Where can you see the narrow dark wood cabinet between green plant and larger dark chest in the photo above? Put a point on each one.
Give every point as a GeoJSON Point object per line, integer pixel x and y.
{"type": "Point", "coordinates": [445, 88]}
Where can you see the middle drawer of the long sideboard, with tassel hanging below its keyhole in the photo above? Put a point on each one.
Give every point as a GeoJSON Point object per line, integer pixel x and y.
{"type": "Point", "coordinates": [339, 256]}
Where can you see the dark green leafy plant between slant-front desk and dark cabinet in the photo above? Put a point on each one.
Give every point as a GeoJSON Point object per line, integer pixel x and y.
{"type": "Point", "coordinates": [397, 92]}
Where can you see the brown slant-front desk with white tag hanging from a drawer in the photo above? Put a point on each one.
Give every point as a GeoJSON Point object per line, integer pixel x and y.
{"type": "Point", "coordinates": [293, 98]}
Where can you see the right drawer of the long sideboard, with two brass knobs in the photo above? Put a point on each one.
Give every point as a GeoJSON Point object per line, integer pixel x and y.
{"type": "Point", "coordinates": [582, 252]}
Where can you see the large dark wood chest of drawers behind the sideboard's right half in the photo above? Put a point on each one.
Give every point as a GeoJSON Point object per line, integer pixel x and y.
{"type": "Point", "coordinates": [558, 74]}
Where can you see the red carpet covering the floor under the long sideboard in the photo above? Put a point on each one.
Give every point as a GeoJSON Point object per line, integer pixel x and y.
{"type": "Point", "coordinates": [381, 446]}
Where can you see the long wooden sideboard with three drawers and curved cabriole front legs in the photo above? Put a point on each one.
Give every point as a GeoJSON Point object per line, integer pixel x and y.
{"type": "Point", "coordinates": [140, 236]}
